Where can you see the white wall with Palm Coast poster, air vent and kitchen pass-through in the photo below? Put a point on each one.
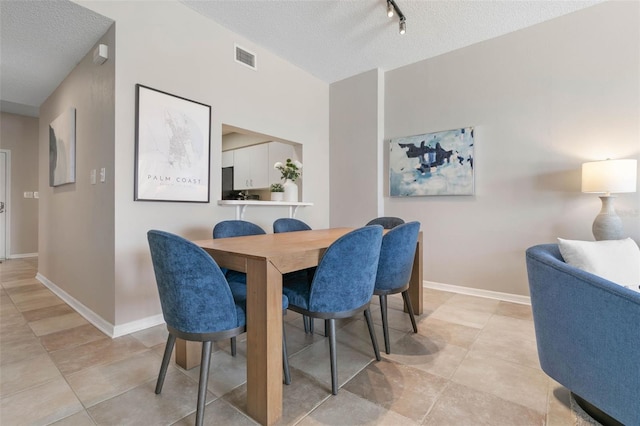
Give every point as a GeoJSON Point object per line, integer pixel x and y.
{"type": "Point", "coordinates": [167, 46]}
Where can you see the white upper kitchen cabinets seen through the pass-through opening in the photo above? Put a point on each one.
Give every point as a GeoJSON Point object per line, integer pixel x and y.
{"type": "Point", "coordinates": [253, 165]}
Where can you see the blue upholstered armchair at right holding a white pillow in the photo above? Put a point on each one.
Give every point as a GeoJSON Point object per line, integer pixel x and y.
{"type": "Point", "coordinates": [588, 335]}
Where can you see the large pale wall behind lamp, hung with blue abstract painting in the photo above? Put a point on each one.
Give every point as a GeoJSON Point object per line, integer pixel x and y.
{"type": "Point", "coordinates": [543, 100]}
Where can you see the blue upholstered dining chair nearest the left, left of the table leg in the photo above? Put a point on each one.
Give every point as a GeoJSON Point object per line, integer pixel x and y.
{"type": "Point", "coordinates": [197, 303]}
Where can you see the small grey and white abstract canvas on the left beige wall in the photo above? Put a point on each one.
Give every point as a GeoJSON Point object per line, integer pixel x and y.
{"type": "Point", "coordinates": [62, 149]}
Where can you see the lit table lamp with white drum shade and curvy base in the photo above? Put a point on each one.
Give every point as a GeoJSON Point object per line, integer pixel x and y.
{"type": "Point", "coordinates": [608, 177]}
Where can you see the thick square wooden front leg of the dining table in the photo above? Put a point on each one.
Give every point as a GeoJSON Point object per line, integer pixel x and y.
{"type": "Point", "coordinates": [264, 341]}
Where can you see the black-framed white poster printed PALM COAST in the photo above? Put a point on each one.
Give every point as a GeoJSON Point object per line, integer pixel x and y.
{"type": "Point", "coordinates": [173, 141]}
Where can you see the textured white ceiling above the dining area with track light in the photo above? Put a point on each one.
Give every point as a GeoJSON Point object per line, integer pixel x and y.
{"type": "Point", "coordinates": [335, 39]}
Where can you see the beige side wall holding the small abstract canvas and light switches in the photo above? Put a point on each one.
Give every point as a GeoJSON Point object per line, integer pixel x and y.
{"type": "Point", "coordinates": [76, 221]}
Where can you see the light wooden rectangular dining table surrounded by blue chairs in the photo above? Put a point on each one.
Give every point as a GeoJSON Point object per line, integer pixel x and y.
{"type": "Point", "coordinates": [264, 258]}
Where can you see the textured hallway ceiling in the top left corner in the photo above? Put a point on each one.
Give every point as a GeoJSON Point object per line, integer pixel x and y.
{"type": "Point", "coordinates": [40, 43]}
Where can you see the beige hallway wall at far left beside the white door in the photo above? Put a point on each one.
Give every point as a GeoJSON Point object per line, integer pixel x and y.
{"type": "Point", "coordinates": [19, 134]}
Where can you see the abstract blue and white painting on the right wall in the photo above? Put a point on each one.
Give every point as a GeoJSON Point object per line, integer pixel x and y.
{"type": "Point", "coordinates": [438, 163]}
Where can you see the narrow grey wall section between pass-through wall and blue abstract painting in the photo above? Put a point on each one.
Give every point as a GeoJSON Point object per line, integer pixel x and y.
{"type": "Point", "coordinates": [356, 110]}
